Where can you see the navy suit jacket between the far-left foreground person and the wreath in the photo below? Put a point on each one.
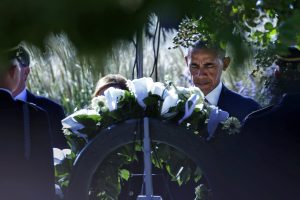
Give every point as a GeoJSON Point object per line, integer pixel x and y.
{"type": "Point", "coordinates": [56, 114]}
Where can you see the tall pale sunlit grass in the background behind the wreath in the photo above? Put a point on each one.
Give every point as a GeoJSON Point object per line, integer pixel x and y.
{"type": "Point", "coordinates": [62, 74]}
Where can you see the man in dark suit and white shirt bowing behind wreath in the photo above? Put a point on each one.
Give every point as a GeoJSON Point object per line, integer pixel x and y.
{"type": "Point", "coordinates": [206, 65]}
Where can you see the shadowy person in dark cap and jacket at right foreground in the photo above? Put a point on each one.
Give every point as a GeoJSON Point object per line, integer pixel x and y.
{"type": "Point", "coordinates": [273, 136]}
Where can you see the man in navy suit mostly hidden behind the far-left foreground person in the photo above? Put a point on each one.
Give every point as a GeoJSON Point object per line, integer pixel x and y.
{"type": "Point", "coordinates": [54, 110]}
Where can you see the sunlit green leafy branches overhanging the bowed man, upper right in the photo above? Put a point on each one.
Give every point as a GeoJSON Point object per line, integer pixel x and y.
{"type": "Point", "coordinates": [258, 24]}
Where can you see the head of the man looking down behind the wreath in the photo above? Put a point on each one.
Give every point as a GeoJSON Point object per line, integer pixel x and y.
{"type": "Point", "coordinates": [206, 65]}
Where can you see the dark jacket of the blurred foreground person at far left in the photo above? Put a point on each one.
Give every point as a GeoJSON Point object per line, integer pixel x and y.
{"type": "Point", "coordinates": [24, 178]}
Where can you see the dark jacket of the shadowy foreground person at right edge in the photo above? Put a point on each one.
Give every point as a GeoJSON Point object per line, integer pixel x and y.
{"type": "Point", "coordinates": [270, 140]}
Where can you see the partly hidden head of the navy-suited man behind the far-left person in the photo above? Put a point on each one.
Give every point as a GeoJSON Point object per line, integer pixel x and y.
{"type": "Point", "coordinates": [24, 59]}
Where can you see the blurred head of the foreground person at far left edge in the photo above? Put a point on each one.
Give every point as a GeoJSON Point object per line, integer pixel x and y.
{"type": "Point", "coordinates": [10, 72]}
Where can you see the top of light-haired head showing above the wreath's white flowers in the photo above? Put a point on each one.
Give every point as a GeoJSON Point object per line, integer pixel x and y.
{"type": "Point", "coordinates": [110, 80]}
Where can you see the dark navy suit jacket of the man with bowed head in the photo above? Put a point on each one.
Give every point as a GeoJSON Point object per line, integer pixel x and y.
{"type": "Point", "coordinates": [235, 104]}
